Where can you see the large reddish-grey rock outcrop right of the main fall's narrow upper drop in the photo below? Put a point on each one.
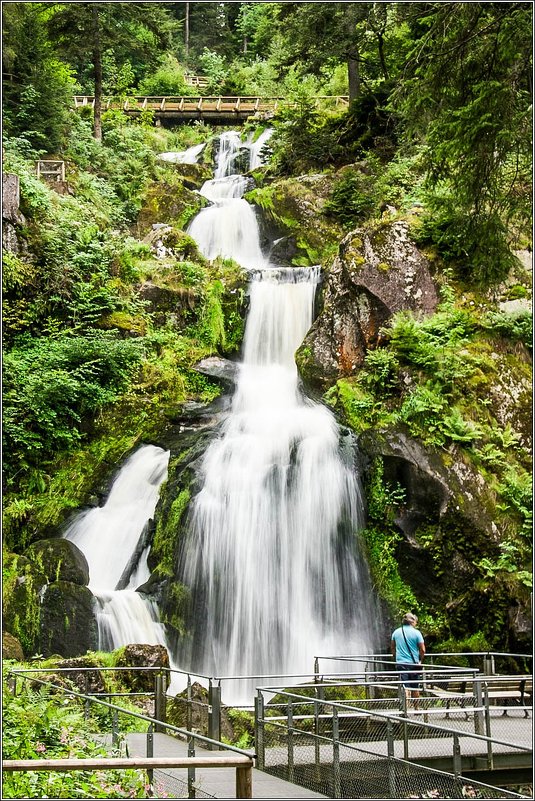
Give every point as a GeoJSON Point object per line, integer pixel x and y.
{"type": "Point", "coordinates": [377, 272]}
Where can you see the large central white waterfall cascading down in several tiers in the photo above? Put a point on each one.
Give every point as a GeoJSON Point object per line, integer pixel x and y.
{"type": "Point", "coordinates": [271, 555]}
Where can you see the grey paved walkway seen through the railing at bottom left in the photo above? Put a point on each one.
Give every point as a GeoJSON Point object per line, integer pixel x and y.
{"type": "Point", "coordinates": [211, 782]}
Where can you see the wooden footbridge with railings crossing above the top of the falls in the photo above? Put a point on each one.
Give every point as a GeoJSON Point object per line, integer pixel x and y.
{"type": "Point", "coordinates": [216, 109]}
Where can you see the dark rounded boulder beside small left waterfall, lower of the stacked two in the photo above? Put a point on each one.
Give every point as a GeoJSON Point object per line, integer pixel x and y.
{"type": "Point", "coordinates": [68, 623]}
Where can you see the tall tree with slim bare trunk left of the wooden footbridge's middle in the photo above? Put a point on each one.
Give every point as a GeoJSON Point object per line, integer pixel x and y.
{"type": "Point", "coordinates": [84, 32]}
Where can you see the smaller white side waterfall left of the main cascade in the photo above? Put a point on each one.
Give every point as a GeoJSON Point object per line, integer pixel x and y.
{"type": "Point", "coordinates": [113, 540]}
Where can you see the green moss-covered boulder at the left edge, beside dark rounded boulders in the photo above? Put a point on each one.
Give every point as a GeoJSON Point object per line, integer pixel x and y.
{"type": "Point", "coordinates": [22, 584]}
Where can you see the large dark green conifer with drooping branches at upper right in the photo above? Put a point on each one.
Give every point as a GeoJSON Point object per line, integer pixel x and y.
{"type": "Point", "coordinates": [466, 94]}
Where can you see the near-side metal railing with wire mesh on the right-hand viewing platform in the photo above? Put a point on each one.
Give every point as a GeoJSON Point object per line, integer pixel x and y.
{"type": "Point", "coordinates": [355, 748]}
